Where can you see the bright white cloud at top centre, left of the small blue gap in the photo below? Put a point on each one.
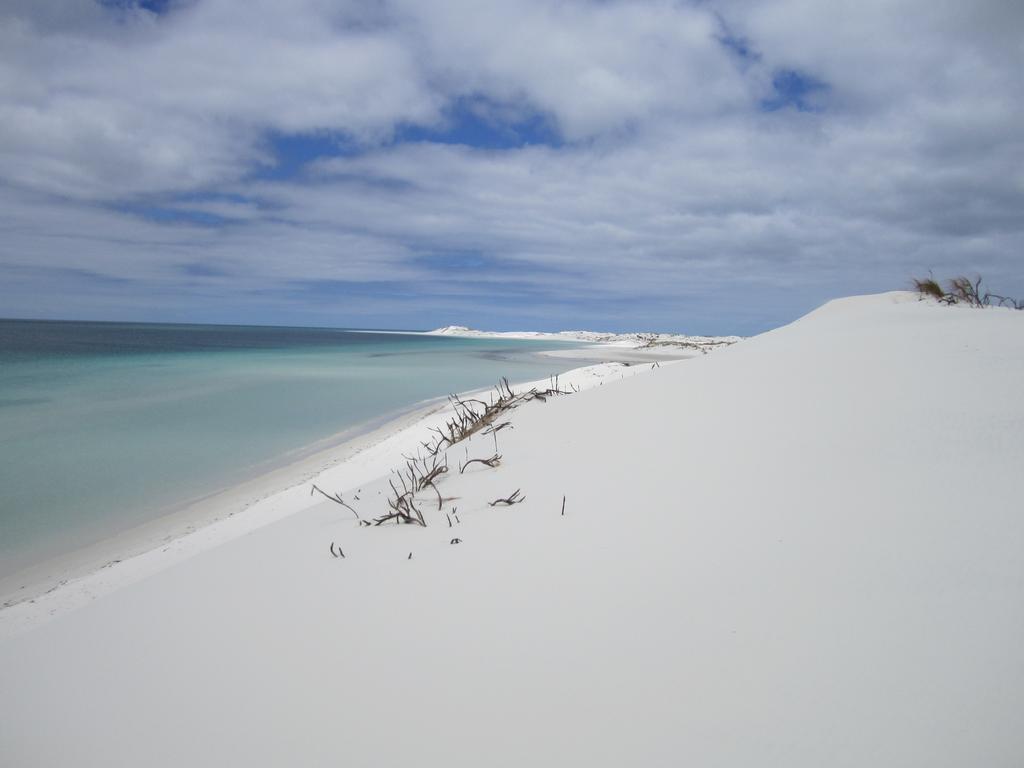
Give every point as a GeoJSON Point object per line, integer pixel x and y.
{"type": "Point", "coordinates": [599, 68]}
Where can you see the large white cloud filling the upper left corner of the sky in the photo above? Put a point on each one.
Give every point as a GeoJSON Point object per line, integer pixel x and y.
{"type": "Point", "coordinates": [131, 104]}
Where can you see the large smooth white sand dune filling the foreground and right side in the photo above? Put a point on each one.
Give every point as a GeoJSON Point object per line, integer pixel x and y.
{"type": "Point", "coordinates": [804, 550]}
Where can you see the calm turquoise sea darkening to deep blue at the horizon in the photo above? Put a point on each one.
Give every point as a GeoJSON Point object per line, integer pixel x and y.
{"type": "Point", "coordinates": [104, 426]}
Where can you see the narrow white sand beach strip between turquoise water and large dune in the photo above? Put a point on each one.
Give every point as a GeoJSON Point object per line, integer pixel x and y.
{"type": "Point", "coordinates": [58, 586]}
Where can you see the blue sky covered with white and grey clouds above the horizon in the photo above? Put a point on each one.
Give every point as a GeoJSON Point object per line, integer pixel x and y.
{"type": "Point", "coordinates": [711, 166]}
